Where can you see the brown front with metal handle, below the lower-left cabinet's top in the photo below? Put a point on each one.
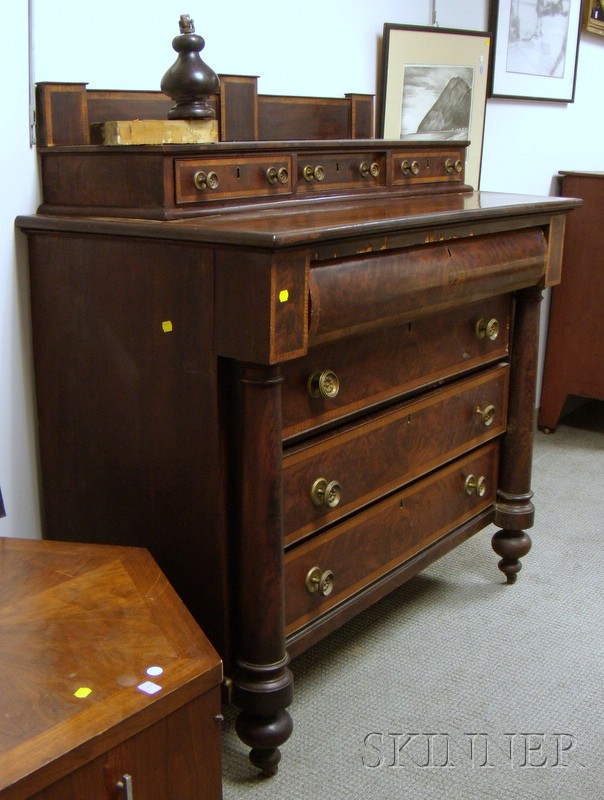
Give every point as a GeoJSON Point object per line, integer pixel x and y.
{"type": "Point", "coordinates": [179, 756]}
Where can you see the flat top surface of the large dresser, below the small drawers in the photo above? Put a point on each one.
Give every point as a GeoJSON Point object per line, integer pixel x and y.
{"type": "Point", "coordinates": [320, 221]}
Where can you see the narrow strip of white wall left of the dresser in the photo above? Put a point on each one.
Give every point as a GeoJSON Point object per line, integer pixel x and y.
{"type": "Point", "coordinates": [18, 194]}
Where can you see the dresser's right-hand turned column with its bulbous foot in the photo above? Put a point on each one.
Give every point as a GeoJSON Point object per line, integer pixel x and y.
{"type": "Point", "coordinates": [514, 509]}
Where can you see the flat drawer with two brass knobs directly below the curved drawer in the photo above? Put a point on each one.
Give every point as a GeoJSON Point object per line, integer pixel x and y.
{"type": "Point", "coordinates": [378, 367]}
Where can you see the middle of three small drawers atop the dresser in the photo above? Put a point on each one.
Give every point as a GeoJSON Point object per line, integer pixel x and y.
{"type": "Point", "coordinates": [321, 171]}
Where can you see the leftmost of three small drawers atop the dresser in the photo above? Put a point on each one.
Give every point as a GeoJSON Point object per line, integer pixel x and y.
{"type": "Point", "coordinates": [206, 180]}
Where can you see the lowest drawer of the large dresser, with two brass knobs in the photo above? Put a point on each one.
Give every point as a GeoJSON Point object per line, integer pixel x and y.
{"type": "Point", "coordinates": [327, 570]}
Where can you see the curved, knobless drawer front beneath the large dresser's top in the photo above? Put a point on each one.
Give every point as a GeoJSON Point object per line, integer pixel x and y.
{"type": "Point", "coordinates": [355, 295]}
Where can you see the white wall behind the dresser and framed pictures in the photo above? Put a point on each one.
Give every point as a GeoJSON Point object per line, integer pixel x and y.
{"type": "Point", "coordinates": [319, 47]}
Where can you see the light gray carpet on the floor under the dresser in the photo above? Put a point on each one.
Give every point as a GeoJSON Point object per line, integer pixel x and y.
{"type": "Point", "coordinates": [456, 685]}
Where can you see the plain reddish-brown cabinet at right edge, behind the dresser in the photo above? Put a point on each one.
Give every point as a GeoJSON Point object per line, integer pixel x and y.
{"type": "Point", "coordinates": [575, 339]}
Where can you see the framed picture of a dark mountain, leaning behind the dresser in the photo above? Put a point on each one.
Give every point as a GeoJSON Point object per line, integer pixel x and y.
{"type": "Point", "coordinates": [434, 87]}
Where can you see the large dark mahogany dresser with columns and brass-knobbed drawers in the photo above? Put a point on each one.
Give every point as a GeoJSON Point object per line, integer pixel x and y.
{"type": "Point", "coordinates": [298, 370]}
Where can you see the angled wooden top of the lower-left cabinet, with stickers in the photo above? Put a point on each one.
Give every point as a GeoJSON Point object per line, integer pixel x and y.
{"type": "Point", "coordinates": [96, 645]}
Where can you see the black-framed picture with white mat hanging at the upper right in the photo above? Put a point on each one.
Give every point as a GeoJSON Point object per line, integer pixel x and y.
{"type": "Point", "coordinates": [535, 48]}
